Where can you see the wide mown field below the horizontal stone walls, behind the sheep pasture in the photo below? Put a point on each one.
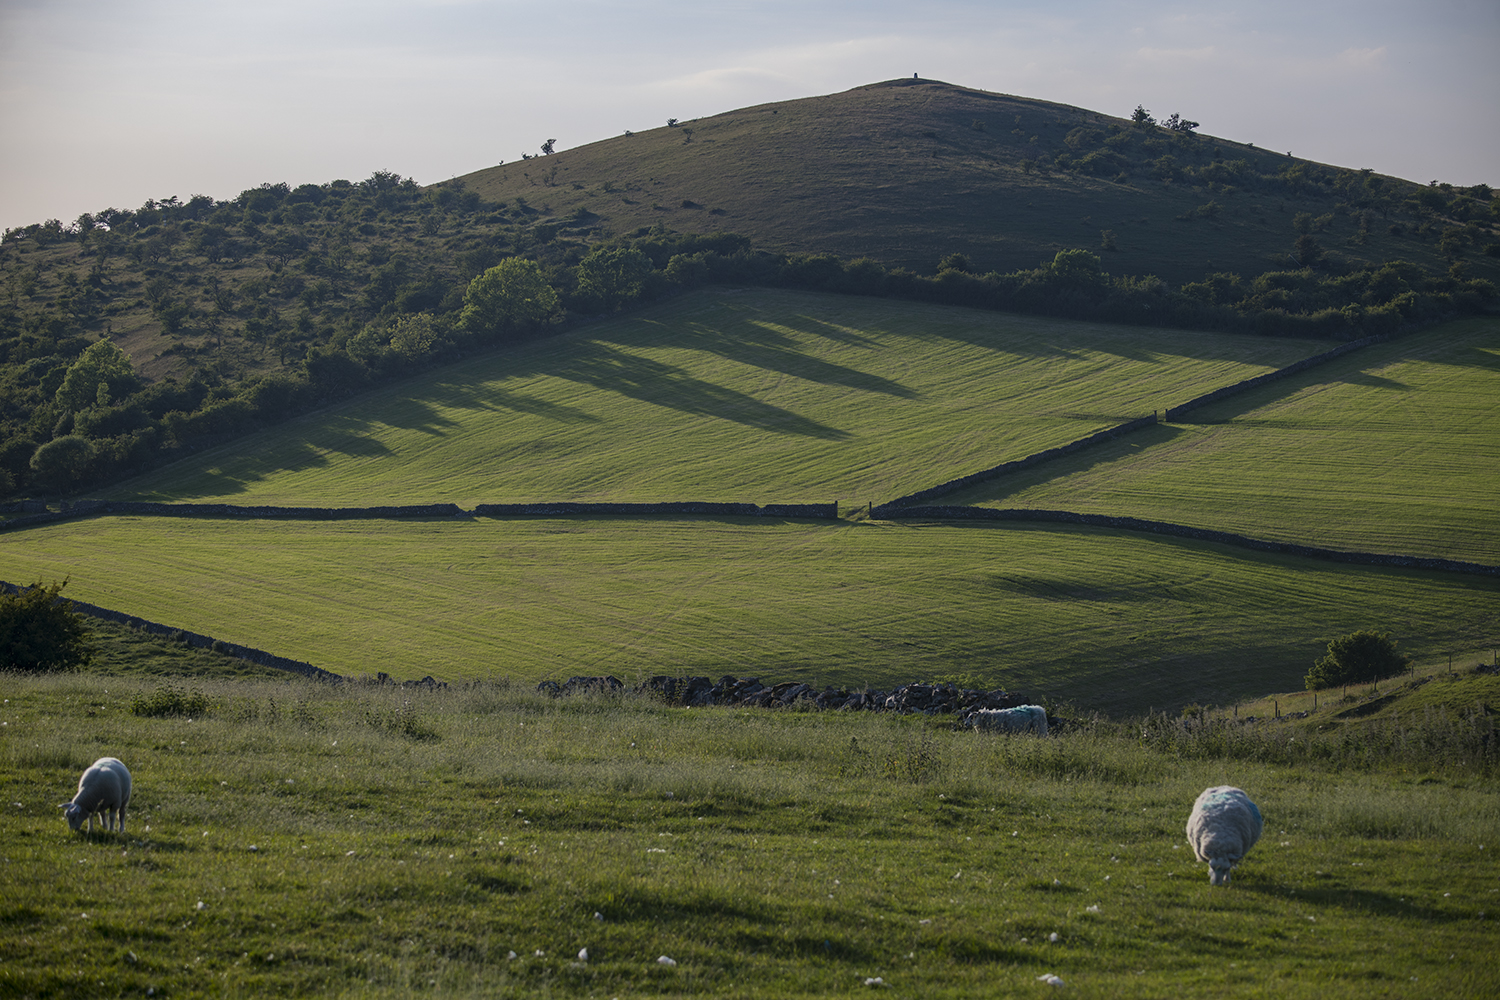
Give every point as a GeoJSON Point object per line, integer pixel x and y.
{"type": "Point", "coordinates": [1112, 621]}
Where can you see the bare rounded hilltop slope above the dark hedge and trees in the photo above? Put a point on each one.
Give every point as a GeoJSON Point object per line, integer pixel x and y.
{"type": "Point", "coordinates": [911, 170]}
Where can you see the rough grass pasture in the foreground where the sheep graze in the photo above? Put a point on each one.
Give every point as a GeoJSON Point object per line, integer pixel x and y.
{"type": "Point", "coordinates": [371, 842]}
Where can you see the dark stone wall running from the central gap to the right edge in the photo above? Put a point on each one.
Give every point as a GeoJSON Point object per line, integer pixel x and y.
{"type": "Point", "coordinates": [1184, 531]}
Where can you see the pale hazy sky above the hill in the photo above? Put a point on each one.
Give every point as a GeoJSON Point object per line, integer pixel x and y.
{"type": "Point", "coordinates": [113, 103]}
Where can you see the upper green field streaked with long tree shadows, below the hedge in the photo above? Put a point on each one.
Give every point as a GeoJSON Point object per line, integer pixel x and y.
{"type": "Point", "coordinates": [761, 397]}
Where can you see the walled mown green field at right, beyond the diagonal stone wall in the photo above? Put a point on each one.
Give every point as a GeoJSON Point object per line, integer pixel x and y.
{"type": "Point", "coordinates": [1391, 449]}
